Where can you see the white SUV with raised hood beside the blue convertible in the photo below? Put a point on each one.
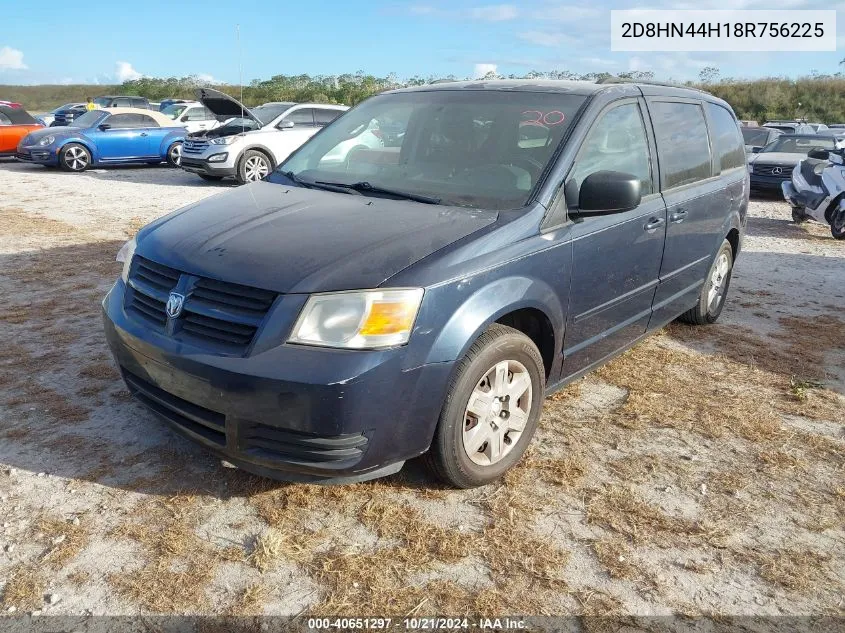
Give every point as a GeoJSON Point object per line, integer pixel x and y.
{"type": "Point", "coordinates": [253, 141]}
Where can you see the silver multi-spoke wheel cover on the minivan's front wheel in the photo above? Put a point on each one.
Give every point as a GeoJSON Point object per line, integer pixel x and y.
{"type": "Point", "coordinates": [497, 412]}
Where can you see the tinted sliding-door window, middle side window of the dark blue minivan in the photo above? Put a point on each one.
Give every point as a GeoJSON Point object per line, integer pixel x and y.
{"type": "Point", "coordinates": [682, 143]}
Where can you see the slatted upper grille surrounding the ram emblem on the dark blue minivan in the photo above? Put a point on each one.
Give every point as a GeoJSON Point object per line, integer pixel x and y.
{"type": "Point", "coordinates": [217, 315]}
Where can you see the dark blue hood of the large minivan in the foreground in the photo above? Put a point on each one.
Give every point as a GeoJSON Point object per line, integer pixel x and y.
{"type": "Point", "coordinates": [296, 240]}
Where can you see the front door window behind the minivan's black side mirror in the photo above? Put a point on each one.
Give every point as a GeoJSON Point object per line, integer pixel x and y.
{"type": "Point", "coordinates": [617, 142]}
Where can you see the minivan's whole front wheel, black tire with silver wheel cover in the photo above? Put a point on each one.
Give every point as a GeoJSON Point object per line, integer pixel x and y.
{"type": "Point", "coordinates": [463, 459]}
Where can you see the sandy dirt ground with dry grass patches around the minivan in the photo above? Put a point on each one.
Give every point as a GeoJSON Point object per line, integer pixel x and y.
{"type": "Point", "coordinates": [703, 472]}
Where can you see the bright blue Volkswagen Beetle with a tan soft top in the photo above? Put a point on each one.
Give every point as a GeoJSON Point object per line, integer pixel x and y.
{"type": "Point", "coordinates": [116, 136]}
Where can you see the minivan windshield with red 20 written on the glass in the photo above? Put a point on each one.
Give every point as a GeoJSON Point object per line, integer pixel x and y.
{"type": "Point", "coordinates": [472, 148]}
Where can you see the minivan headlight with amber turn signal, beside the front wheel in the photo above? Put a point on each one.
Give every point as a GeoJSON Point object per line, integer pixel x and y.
{"type": "Point", "coordinates": [364, 319]}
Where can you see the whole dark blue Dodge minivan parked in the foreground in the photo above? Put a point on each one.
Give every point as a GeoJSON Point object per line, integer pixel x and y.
{"type": "Point", "coordinates": [368, 303]}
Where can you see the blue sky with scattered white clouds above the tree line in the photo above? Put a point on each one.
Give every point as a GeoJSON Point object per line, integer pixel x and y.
{"type": "Point", "coordinates": [112, 42]}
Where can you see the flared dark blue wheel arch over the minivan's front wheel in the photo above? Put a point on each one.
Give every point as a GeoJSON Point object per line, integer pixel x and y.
{"type": "Point", "coordinates": [489, 303]}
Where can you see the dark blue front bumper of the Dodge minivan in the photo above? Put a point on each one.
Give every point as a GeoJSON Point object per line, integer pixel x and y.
{"type": "Point", "coordinates": [291, 412]}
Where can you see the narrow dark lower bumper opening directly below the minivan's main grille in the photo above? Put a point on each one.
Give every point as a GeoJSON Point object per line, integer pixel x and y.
{"type": "Point", "coordinates": [206, 423]}
